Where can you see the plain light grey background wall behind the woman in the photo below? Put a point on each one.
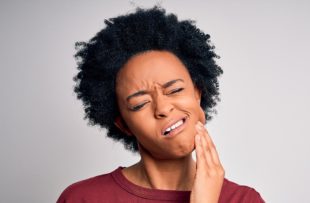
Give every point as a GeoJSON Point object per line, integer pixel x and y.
{"type": "Point", "coordinates": [261, 130]}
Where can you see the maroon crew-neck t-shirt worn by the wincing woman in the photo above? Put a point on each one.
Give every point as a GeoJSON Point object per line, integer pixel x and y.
{"type": "Point", "coordinates": [114, 187]}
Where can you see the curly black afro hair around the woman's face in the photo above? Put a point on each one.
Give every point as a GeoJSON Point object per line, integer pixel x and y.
{"type": "Point", "coordinates": [100, 59]}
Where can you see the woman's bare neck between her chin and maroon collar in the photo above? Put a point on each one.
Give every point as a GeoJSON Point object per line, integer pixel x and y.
{"type": "Point", "coordinates": [172, 174]}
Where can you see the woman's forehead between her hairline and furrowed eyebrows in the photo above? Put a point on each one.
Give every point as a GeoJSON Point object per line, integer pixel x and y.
{"type": "Point", "coordinates": [150, 68]}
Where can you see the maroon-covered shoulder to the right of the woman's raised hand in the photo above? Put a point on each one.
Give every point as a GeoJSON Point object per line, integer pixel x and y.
{"type": "Point", "coordinates": [233, 192]}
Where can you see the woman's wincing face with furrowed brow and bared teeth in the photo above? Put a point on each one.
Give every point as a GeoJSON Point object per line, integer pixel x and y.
{"type": "Point", "coordinates": [159, 104]}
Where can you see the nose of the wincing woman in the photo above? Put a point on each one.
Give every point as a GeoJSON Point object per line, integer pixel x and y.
{"type": "Point", "coordinates": [163, 106]}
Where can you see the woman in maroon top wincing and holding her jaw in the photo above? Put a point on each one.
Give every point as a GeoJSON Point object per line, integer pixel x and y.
{"type": "Point", "coordinates": [152, 82]}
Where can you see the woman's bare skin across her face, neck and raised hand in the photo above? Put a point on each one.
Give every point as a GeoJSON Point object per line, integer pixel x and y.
{"type": "Point", "coordinates": [154, 90]}
